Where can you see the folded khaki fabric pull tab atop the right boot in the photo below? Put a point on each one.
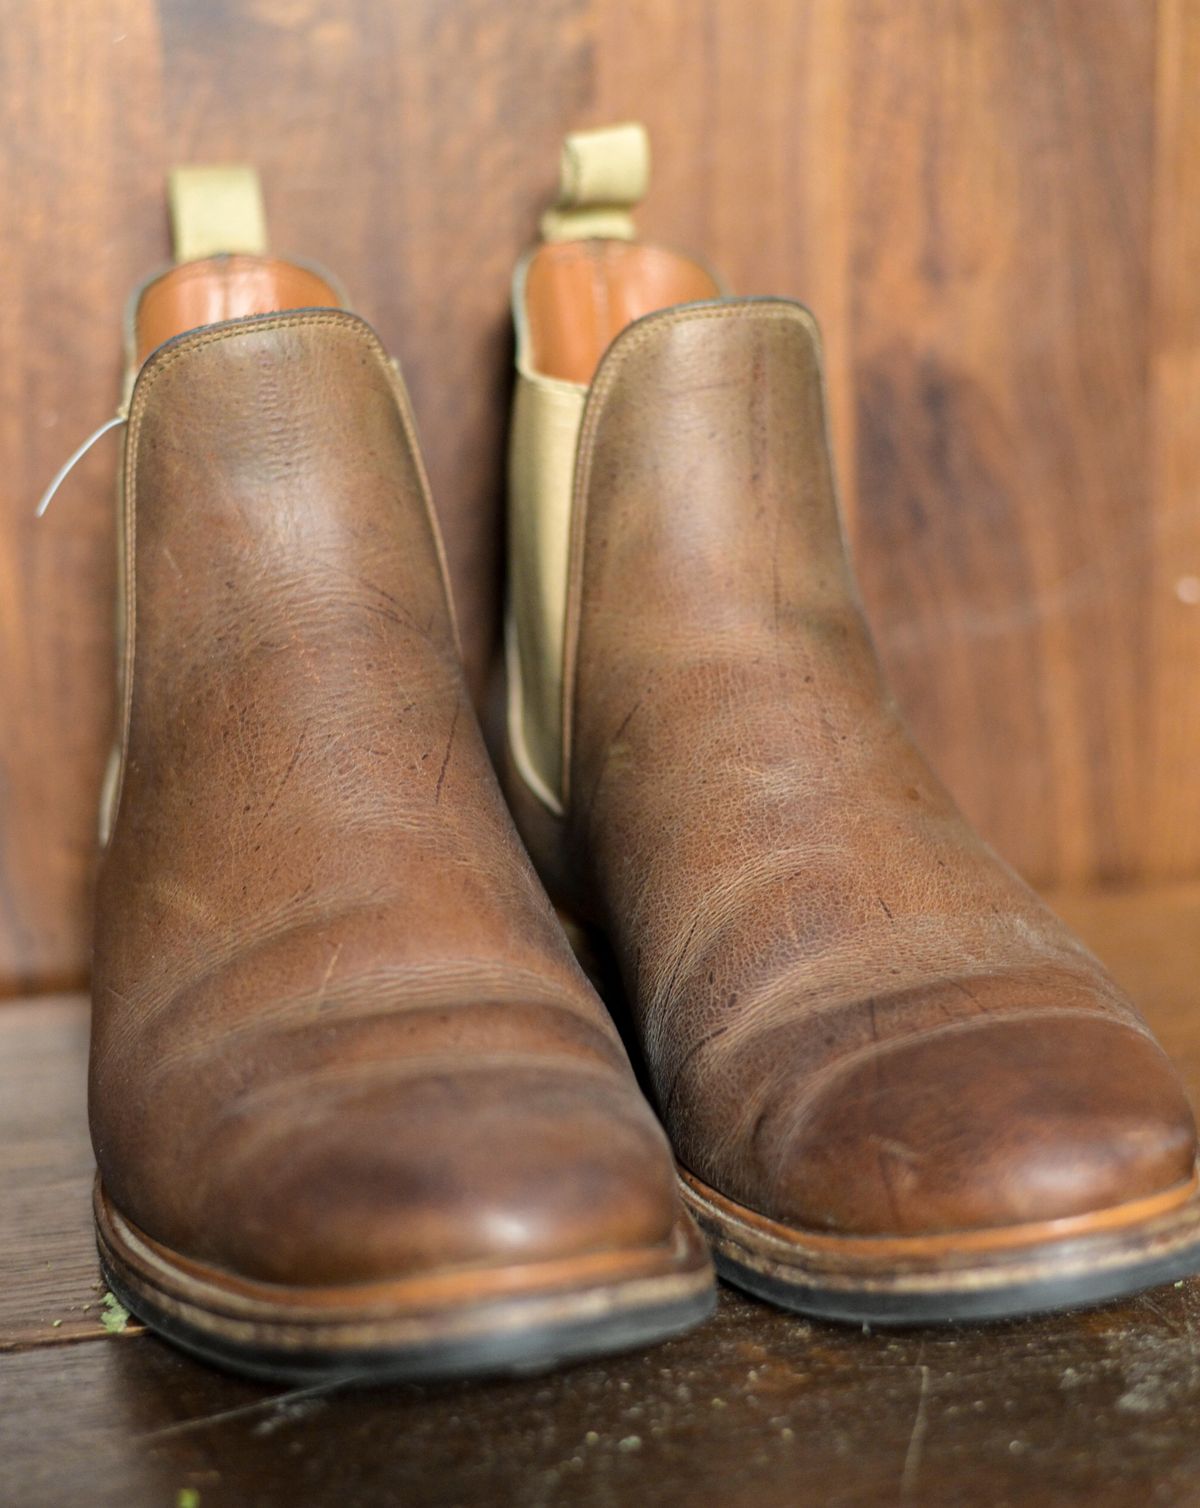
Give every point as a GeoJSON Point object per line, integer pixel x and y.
{"type": "Point", "coordinates": [604, 176]}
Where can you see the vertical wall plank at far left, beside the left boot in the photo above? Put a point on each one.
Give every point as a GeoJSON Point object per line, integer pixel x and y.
{"type": "Point", "coordinates": [79, 123]}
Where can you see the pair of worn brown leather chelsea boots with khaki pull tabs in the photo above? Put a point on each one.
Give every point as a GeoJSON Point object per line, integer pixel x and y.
{"type": "Point", "coordinates": [357, 1108]}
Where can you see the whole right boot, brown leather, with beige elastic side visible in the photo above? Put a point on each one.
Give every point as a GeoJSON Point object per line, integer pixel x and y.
{"type": "Point", "coordinates": [898, 1088]}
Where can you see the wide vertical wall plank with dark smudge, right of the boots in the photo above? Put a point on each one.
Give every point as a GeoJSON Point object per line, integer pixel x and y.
{"type": "Point", "coordinates": [1003, 167]}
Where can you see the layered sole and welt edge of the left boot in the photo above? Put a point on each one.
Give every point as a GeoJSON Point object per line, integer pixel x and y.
{"type": "Point", "coordinates": [506, 1322]}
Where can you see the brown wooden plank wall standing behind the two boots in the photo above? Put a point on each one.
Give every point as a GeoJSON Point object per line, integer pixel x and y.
{"type": "Point", "coordinates": [994, 207]}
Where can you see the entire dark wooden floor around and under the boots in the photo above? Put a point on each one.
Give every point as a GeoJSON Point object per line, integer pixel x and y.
{"type": "Point", "coordinates": [758, 1408]}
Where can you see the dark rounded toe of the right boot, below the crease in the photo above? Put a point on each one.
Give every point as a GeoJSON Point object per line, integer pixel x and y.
{"type": "Point", "coordinates": [984, 1126]}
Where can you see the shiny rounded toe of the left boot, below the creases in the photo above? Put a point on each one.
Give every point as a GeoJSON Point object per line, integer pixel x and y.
{"type": "Point", "coordinates": [448, 1171]}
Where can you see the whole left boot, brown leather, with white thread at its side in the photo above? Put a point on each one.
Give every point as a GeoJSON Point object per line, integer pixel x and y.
{"type": "Point", "coordinates": [357, 1111]}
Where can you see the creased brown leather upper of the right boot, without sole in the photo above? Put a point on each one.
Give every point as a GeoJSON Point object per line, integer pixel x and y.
{"type": "Point", "coordinates": [854, 1016]}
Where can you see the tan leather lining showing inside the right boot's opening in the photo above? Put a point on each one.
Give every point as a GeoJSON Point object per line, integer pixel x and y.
{"type": "Point", "coordinates": [581, 295]}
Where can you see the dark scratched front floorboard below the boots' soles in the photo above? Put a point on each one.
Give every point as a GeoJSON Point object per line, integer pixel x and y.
{"type": "Point", "coordinates": [758, 1411]}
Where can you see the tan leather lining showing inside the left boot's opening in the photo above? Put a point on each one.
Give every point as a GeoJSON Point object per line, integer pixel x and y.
{"type": "Point", "coordinates": [219, 289]}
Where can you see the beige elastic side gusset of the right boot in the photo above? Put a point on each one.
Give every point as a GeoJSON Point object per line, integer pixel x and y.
{"type": "Point", "coordinates": [546, 420]}
